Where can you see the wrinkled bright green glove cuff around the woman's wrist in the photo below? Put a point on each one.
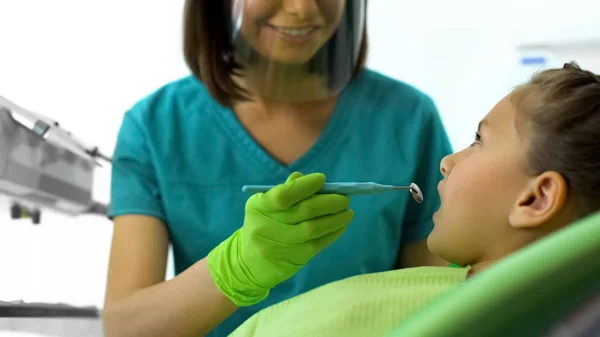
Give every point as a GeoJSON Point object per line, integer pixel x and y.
{"type": "Point", "coordinates": [227, 270]}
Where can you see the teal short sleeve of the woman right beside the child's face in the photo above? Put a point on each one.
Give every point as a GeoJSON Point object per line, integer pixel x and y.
{"type": "Point", "coordinates": [433, 146]}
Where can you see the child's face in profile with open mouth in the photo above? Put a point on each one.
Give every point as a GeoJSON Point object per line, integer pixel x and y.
{"type": "Point", "coordinates": [481, 186]}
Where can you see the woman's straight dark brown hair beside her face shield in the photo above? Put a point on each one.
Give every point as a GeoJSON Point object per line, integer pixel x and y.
{"type": "Point", "coordinates": [208, 50]}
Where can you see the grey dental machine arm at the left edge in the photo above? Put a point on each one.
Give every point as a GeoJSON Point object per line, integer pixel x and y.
{"type": "Point", "coordinates": [44, 167]}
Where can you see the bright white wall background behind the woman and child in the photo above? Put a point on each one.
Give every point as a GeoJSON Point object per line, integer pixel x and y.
{"type": "Point", "coordinates": [85, 63]}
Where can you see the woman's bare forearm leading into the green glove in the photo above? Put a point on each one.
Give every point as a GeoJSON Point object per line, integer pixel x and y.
{"type": "Point", "coordinates": [188, 305]}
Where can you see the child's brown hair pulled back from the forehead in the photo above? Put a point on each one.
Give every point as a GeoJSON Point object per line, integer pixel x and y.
{"type": "Point", "coordinates": [561, 110]}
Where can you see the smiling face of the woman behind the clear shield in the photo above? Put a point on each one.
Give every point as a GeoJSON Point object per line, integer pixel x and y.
{"type": "Point", "coordinates": [288, 31]}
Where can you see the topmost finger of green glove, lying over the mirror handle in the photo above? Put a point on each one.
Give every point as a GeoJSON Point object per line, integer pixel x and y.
{"type": "Point", "coordinates": [285, 195]}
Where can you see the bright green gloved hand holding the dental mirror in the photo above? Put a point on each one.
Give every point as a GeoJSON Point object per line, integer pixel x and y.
{"type": "Point", "coordinates": [283, 229]}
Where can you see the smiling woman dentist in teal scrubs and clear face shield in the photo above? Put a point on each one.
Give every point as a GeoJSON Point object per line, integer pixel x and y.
{"type": "Point", "coordinates": [278, 87]}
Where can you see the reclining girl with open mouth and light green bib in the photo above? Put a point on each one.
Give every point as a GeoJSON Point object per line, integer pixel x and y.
{"type": "Point", "coordinates": [533, 168]}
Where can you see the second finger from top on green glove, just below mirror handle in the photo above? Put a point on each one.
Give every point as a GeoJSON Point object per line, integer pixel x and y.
{"type": "Point", "coordinates": [314, 207]}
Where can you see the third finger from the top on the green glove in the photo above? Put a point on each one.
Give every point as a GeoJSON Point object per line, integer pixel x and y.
{"type": "Point", "coordinates": [315, 228]}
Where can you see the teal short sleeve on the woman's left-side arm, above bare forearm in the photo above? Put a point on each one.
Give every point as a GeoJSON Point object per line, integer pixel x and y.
{"type": "Point", "coordinates": [134, 184]}
